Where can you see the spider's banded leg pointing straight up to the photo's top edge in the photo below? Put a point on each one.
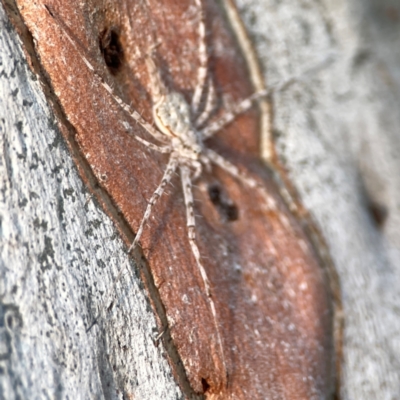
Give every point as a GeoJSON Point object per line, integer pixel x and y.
{"type": "Point", "coordinates": [203, 58]}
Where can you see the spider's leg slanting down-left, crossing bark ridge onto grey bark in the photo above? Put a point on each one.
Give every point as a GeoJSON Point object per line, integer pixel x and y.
{"type": "Point", "coordinates": [171, 167]}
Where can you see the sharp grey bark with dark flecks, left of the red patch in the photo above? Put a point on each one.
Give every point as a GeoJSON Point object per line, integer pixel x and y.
{"type": "Point", "coordinates": [58, 255]}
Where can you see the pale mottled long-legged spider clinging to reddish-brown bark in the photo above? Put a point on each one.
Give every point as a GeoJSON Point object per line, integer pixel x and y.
{"type": "Point", "coordinates": [181, 131]}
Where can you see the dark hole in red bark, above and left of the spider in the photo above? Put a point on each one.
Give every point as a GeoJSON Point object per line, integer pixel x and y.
{"type": "Point", "coordinates": [111, 49]}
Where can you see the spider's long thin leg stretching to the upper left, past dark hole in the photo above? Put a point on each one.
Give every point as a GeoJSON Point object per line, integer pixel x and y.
{"type": "Point", "coordinates": [80, 50]}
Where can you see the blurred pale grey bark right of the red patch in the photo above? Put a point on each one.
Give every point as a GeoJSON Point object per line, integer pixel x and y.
{"type": "Point", "coordinates": [338, 133]}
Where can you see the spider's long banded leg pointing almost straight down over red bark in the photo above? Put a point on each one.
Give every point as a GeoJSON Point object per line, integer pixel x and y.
{"type": "Point", "coordinates": [191, 225]}
